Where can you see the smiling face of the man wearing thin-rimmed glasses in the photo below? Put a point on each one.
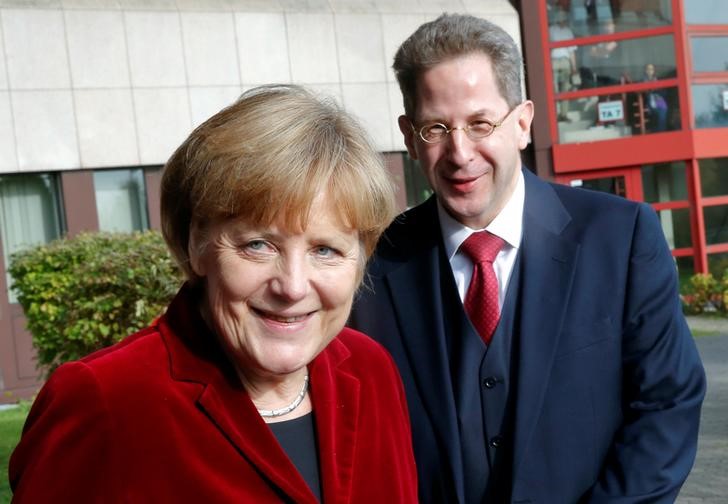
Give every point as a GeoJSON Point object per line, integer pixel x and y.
{"type": "Point", "coordinates": [473, 179]}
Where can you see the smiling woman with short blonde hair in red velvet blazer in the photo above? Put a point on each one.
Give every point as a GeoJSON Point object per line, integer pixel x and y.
{"type": "Point", "coordinates": [248, 388]}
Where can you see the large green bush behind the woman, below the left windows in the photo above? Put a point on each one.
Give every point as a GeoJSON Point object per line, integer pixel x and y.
{"type": "Point", "coordinates": [84, 293]}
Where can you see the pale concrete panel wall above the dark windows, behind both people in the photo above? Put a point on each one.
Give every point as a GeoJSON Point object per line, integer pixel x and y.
{"type": "Point", "coordinates": [102, 83]}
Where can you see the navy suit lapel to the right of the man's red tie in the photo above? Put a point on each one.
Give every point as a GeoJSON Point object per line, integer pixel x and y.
{"type": "Point", "coordinates": [548, 264]}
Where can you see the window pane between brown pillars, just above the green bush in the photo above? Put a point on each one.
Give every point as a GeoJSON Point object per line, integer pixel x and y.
{"type": "Point", "coordinates": [121, 200]}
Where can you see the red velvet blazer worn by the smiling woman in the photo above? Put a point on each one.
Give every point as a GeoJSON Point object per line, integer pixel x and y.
{"type": "Point", "coordinates": [162, 417]}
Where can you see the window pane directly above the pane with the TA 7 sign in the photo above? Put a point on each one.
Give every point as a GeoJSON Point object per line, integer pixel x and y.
{"type": "Point", "coordinates": [619, 62]}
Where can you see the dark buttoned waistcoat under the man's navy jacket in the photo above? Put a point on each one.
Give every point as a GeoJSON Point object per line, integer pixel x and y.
{"type": "Point", "coordinates": [483, 380]}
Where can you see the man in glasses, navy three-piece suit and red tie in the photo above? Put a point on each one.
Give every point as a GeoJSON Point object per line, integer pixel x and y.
{"type": "Point", "coordinates": [537, 327]}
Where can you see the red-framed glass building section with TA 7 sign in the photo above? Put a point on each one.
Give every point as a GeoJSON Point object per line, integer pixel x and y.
{"type": "Point", "coordinates": [636, 103]}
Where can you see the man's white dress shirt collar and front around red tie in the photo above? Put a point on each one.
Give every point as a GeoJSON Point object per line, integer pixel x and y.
{"type": "Point", "coordinates": [508, 225]}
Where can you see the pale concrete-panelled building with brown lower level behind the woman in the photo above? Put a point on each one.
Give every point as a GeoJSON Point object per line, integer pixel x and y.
{"type": "Point", "coordinates": [96, 94]}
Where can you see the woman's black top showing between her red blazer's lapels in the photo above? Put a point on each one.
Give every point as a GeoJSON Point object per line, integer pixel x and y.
{"type": "Point", "coordinates": [297, 437]}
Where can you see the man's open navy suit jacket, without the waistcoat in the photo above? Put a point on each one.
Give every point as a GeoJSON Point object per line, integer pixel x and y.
{"type": "Point", "coordinates": [609, 382]}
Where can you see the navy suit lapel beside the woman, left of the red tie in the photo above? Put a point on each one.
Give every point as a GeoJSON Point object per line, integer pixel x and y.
{"type": "Point", "coordinates": [415, 289]}
